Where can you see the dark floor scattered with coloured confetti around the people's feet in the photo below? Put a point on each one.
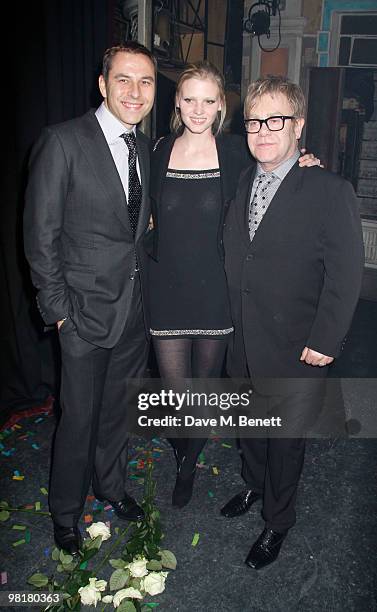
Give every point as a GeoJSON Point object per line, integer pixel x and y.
{"type": "Point", "coordinates": [327, 563]}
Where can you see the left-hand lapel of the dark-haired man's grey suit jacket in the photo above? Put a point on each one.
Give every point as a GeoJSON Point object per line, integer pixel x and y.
{"type": "Point", "coordinates": [96, 149]}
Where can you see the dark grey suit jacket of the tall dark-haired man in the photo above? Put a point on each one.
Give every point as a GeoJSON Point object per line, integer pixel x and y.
{"type": "Point", "coordinates": [78, 238]}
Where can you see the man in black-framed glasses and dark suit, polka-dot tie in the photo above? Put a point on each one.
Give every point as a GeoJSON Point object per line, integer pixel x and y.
{"type": "Point", "coordinates": [294, 260]}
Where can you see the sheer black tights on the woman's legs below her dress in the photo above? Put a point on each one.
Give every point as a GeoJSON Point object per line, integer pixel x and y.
{"type": "Point", "coordinates": [179, 358]}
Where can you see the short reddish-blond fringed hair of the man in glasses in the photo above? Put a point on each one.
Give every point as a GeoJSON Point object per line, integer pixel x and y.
{"type": "Point", "coordinates": [275, 85]}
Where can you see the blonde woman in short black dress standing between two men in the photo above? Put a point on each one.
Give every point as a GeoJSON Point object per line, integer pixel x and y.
{"type": "Point", "coordinates": [194, 177]}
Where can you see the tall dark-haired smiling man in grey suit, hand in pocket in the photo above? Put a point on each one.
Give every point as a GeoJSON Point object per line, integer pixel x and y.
{"type": "Point", "coordinates": [87, 210]}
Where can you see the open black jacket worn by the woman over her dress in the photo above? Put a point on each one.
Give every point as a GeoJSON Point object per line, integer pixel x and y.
{"type": "Point", "coordinates": [233, 158]}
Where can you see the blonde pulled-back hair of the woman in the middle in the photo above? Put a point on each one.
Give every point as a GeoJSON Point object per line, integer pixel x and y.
{"type": "Point", "coordinates": [201, 70]}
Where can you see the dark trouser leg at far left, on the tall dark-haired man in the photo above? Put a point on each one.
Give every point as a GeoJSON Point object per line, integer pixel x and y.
{"type": "Point", "coordinates": [84, 368]}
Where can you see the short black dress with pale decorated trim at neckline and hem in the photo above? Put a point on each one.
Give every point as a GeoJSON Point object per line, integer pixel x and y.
{"type": "Point", "coordinates": [188, 291]}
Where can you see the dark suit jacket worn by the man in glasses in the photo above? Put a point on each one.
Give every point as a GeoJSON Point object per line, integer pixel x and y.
{"type": "Point", "coordinates": [297, 283]}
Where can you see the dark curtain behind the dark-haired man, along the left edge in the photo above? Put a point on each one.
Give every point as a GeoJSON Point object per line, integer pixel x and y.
{"type": "Point", "coordinates": [54, 55]}
